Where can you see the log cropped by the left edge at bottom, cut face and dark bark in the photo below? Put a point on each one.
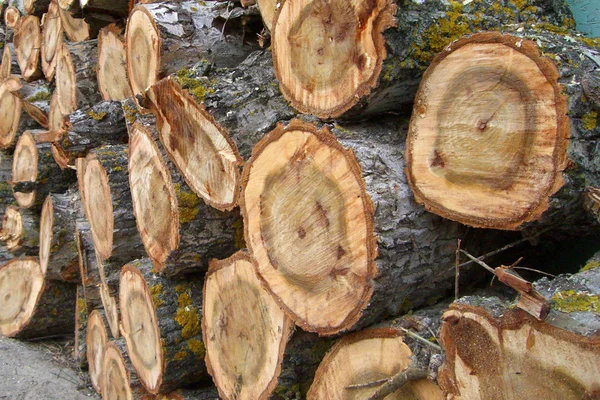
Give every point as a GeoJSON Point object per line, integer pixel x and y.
{"type": "Point", "coordinates": [32, 307]}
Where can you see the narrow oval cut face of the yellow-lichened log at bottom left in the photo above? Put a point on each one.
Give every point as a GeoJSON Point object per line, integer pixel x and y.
{"type": "Point", "coordinates": [140, 328]}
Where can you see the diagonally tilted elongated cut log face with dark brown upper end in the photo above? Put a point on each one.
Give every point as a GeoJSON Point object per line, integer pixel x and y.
{"type": "Point", "coordinates": [202, 150]}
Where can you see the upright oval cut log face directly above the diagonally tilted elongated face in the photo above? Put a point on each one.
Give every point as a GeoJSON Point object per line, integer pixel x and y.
{"type": "Point", "coordinates": [142, 44]}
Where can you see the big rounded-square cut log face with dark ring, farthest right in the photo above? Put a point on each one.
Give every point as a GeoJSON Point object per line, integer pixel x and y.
{"type": "Point", "coordinates": [489, 132]}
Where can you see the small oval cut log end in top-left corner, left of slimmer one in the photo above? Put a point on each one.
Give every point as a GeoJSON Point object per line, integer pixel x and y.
{"type": "Point", "coordinates": [28, 41]}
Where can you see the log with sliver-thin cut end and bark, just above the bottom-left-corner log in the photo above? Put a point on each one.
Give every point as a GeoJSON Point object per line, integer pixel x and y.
{"type": "Point", "coordinates": [59, 257]}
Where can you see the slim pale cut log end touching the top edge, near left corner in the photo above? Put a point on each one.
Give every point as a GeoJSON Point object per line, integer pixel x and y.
{"type": "Point", "coordinates": [52, 39]}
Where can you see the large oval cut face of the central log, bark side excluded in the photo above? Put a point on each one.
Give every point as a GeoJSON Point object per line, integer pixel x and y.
{"type": "Point", "coordinates": [309, 226]}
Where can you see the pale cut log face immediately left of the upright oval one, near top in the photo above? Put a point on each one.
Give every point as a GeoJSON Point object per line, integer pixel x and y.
{"type": "Point", "coordinates": [112, 72]}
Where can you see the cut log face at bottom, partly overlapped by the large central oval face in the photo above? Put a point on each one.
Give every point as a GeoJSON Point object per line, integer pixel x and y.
{"type": "Point", "coordinates": [244, 330]}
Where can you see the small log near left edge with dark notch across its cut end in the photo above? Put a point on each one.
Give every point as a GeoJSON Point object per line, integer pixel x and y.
{"type": "Point", "coordinates": [33, 162]}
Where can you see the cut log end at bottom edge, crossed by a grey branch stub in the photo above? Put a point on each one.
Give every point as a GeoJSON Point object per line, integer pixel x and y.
{"type": "Point", "coordinates": [359, 364]}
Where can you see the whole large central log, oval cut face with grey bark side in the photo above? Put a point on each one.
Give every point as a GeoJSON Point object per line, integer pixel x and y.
{"type": "Point", "coordinates": [339, 228]}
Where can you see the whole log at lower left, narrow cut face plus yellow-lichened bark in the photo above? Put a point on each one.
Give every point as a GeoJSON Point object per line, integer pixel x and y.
{"type": "Point", "coordinates": [160, 321]}
